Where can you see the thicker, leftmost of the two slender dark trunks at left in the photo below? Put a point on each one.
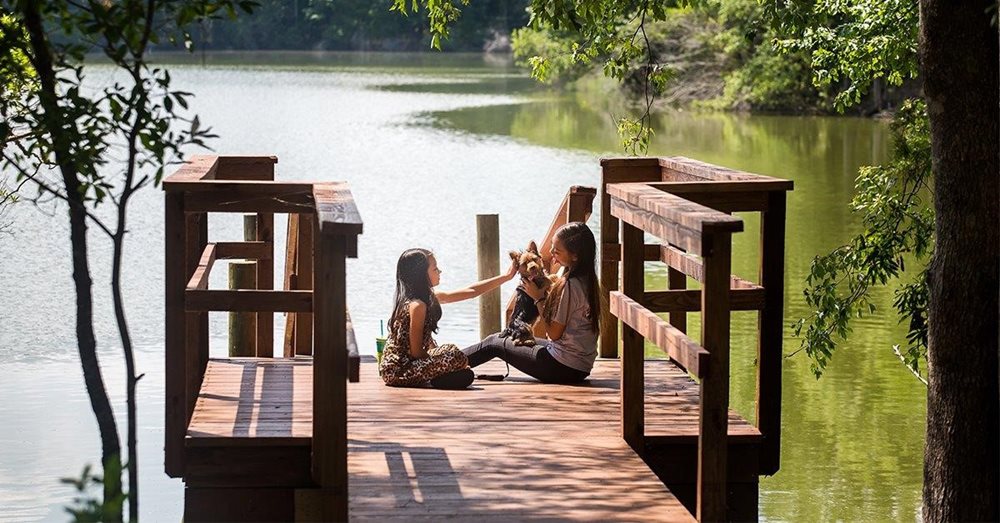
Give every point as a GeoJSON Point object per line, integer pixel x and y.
{"type": "Point", "coordinates": [86, 341]}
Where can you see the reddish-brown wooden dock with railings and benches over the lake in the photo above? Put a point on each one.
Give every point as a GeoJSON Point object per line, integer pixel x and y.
{"type": "Point", "coordinates": [281, 439]}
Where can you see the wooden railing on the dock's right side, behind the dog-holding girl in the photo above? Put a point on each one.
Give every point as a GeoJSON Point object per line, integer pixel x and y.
{"type": "Point", "coordinates": [685, 204]}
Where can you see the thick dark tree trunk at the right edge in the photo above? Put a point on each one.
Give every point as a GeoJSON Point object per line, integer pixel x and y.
{"type": "Point", "coordinates": [959, 60]}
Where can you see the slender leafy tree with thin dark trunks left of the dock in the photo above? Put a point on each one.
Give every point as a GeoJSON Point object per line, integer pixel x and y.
{"type": "Point", "coordinates": [85, 145]}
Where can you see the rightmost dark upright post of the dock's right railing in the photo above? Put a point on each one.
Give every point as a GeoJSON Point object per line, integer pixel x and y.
{"type": "Point", "coordinates": [770, 322]}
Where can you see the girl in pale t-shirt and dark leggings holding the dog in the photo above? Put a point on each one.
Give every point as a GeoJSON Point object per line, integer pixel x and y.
{"type": "Point", "coordinates": [571, 312]}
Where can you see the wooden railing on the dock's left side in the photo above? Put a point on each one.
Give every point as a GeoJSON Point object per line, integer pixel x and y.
{"type": "Point", "coordinates": [214, 184]}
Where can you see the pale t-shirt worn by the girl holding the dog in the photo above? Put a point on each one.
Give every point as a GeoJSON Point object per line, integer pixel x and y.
{"type": "Point", "coordinates": [577, 347]}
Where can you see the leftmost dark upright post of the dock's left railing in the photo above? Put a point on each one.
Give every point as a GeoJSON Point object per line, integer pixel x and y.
{"type": "Point", "coordinates": [175, 422]}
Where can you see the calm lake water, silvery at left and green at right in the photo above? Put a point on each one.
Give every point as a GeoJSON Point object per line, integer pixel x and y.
{"type": "Point", "coordinates": [428, 141]}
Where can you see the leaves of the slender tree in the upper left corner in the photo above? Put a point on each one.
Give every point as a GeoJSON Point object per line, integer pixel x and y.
{"type": "Point", "coordinates": [140, 106]}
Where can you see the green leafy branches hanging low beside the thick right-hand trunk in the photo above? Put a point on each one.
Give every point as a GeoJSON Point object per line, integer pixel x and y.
{"type": "Point", "coordinates": [898, 225]}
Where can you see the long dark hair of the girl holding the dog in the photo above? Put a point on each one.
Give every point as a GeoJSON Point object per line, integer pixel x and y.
{"type": "Point", "coordinates": [579, 241]}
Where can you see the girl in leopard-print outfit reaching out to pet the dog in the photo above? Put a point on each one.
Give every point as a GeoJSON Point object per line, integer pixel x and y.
{"type": "Point", "coordinates": [411, 356]}
